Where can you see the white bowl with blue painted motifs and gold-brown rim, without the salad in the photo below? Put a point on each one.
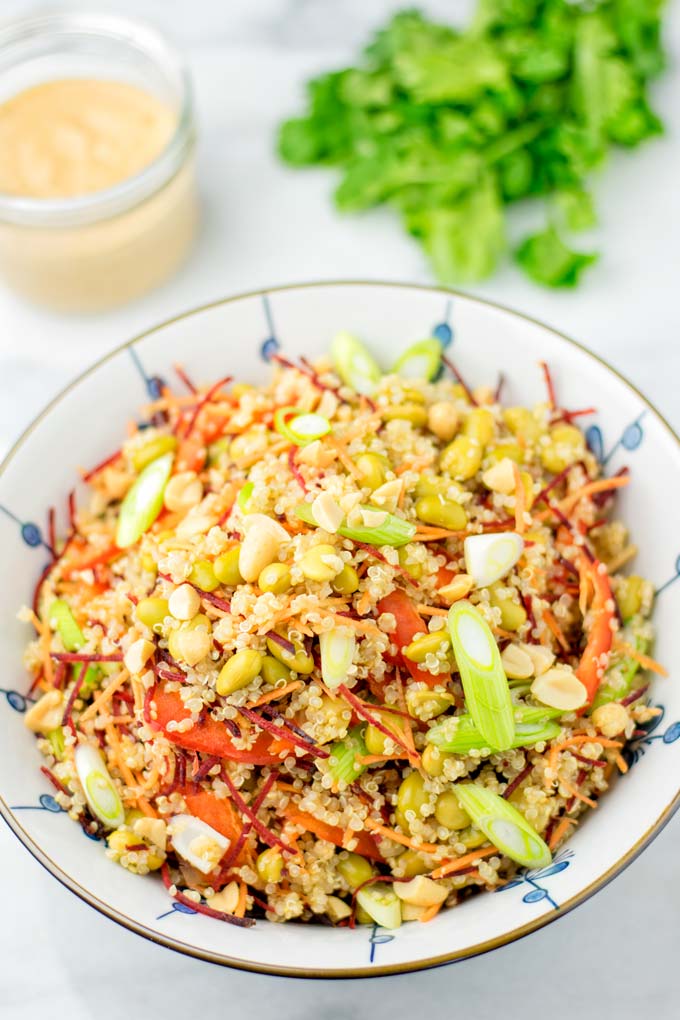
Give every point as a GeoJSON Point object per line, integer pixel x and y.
{"type": "Point", "coordinates": [235, 336]}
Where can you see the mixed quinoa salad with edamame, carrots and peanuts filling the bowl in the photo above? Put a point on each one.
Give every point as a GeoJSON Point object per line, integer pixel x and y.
{"type": "Point", "coordinates": [346, 647]}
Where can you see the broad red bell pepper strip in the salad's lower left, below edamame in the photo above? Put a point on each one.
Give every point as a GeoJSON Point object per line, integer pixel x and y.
{"type": "Point", "coordinates": [210, 736]}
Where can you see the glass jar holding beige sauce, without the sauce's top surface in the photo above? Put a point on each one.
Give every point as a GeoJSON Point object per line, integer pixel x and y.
{"type": "Point", "coordinates": [103, 248]}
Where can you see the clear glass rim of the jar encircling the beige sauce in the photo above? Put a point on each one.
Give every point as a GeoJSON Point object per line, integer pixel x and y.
{"type": "Point", "coordinates": [107, 202]}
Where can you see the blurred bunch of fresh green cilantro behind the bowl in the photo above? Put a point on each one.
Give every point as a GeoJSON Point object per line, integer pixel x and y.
{"type": "Point", "coordinates": [449, 126]}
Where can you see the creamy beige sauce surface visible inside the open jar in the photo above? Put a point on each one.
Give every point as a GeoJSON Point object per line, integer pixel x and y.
{"type": "Point", "coordinates": [72, 137]}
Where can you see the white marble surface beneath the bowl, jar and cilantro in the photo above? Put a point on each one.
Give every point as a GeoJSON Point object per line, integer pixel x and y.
{"type": "Point", "coordinates": [267, 225]}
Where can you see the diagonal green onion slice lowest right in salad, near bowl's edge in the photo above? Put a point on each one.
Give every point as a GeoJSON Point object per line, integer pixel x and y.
{"type": "Point", "coordinates": [504, 826]}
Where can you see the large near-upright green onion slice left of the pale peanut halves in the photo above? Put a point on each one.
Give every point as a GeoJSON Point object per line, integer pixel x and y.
{"type": "Point", "coordinates": [485, 683]}
